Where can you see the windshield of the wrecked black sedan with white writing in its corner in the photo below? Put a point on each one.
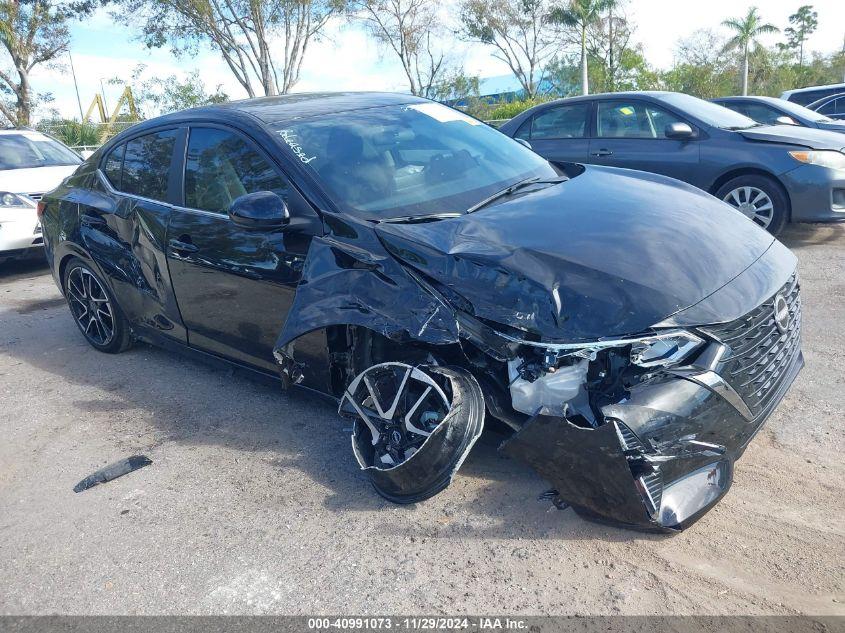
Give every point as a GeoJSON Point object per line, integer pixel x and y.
{"type": "Point", "coordinates": [409, 160]}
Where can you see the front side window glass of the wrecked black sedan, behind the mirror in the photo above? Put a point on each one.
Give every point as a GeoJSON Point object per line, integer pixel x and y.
{"type": "Point", "coordinates": [221, 166]}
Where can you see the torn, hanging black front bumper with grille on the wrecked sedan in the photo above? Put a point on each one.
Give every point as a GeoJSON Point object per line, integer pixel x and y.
{"type": "Point", "coordinates": [665, 453]}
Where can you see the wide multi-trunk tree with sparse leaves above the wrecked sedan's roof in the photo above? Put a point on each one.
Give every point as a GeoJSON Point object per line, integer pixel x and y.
{"type": "Point", "coordinates": [241, 31]}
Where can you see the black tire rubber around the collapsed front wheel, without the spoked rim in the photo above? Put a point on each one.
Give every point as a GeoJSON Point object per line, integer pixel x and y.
{"type": "Point", "coordinates": [431, 468]}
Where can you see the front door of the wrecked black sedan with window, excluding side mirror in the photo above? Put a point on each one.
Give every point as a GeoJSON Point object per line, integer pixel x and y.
{"type": "Point", "coordinates": [234, 285]}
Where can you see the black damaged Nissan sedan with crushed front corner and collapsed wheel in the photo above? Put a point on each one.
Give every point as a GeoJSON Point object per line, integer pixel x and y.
{"type": "Point", "coordinates": [426, 271]}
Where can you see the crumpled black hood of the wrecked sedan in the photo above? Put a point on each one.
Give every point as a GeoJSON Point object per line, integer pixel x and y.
{"type": "Point", "coordinates": [610, 252]}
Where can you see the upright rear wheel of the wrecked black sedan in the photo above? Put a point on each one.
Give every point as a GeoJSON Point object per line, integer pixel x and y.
{"type": "Point", "coordinates": [89, 300]}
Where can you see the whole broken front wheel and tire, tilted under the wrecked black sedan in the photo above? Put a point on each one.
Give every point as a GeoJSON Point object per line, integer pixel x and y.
{"type": "Point", "coordinates": [413, 426]}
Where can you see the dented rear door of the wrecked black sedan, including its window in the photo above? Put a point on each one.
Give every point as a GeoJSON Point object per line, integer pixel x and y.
{"type": "Point", "coordinates": [123, 218]}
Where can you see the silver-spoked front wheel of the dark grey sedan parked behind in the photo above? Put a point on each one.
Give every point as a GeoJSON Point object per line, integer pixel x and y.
{"type": "Point", "coordinates": [758, 198]}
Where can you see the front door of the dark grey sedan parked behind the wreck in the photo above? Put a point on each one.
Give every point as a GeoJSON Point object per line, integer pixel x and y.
{"type": "Point", "coordinates": [631, 133]}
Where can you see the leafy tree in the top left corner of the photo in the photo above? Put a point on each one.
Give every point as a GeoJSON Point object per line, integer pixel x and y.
{"type": "Point", "coordinates": [32, 33]}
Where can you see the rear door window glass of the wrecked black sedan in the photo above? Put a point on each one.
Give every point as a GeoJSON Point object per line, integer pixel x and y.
{"type": "Point", "coordinates": [146, 165]}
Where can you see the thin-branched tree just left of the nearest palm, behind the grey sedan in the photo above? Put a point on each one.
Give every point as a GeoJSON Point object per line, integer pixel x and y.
{"type": "Point", "coordinates": [521, 33]}
